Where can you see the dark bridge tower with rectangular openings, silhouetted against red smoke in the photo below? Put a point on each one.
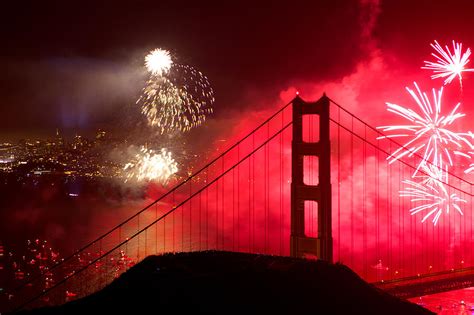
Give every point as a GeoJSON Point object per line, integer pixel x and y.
{"type": "Point", "coordinates": [300, 192]}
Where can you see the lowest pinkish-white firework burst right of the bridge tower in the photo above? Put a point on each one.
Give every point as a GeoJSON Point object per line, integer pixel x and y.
{"type": "Point", "coordinates": [433, 193]}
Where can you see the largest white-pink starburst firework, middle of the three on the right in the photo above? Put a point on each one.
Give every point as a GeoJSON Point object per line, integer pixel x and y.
{"type": "Point", "coordinates": [429, 131]}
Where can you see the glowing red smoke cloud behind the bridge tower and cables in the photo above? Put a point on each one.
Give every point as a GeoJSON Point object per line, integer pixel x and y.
{"type": "Point", "coordinates": [248, 209]}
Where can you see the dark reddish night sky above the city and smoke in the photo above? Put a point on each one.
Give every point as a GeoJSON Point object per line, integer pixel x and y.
{"type": "Point", "coordinates": [76, 64]}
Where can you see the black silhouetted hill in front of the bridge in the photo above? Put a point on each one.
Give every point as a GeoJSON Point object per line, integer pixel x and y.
{"type": "Point", "coordinates": [233, 283]}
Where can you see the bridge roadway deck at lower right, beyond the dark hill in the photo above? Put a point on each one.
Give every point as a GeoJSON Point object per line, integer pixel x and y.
{"type": "Point", "coordinates": [420, 285]}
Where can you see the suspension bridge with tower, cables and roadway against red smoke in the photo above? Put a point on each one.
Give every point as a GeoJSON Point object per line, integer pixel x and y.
{"type": "Point", "coordinates": [312, 180]}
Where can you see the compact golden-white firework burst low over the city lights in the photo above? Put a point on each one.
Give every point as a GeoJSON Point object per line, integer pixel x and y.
{"type": "Point", "coordinates": [151, 166]}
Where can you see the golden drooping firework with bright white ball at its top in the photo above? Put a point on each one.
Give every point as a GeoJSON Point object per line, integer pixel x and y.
{"type": "Point", "coordinates": [176, 97]}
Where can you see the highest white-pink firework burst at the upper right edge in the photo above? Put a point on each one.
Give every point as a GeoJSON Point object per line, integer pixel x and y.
{"type": "Point", "coordinates": [448, 65]}
